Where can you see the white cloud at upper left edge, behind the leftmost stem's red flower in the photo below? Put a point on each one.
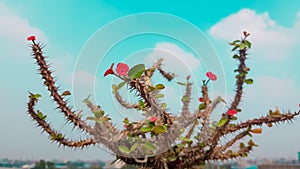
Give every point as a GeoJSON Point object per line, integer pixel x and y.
{"type": "Point", "coordinates": [15, 28]}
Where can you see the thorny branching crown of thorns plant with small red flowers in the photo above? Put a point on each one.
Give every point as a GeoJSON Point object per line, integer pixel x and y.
{"type": "Point", "coordinates": [160, 140]}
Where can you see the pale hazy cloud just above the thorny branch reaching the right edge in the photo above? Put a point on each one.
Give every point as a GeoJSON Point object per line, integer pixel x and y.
{"type": "Point", "coordinates": [267, 92]}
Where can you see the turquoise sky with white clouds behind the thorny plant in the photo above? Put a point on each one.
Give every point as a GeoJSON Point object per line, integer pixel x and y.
{"type": "Point", "coordinates": [70, 29]}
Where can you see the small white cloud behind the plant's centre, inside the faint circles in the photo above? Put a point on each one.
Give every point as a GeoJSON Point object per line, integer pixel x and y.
{"type": "Point", "coordinates": [179, 61]}
